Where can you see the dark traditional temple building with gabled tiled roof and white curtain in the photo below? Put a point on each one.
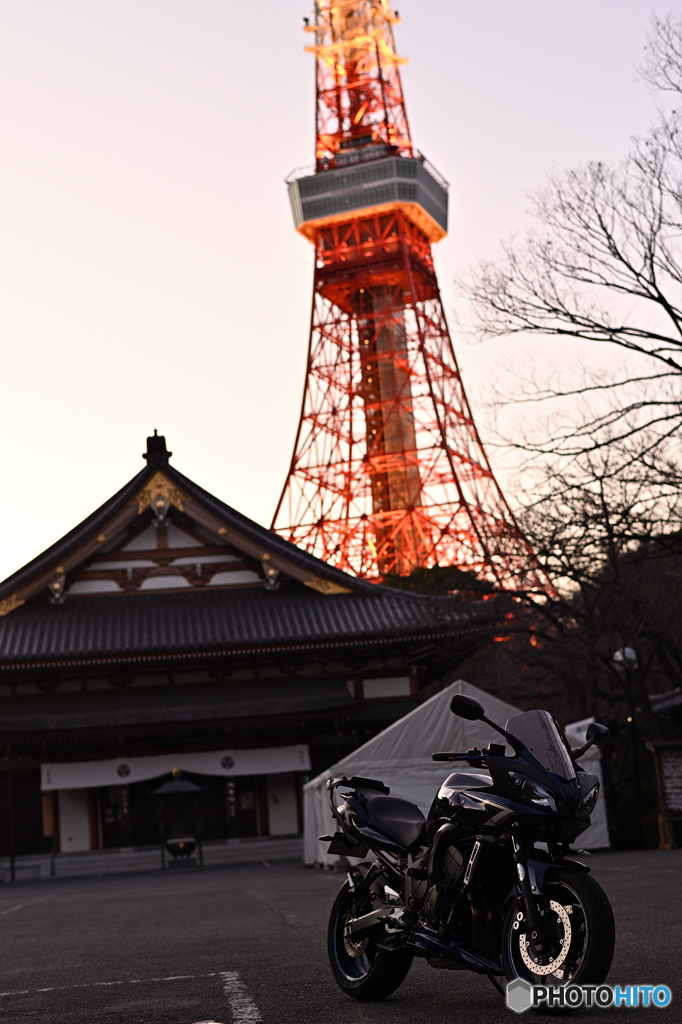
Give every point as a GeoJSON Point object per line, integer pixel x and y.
{"type": "Point", "coordinates": [168, 637]}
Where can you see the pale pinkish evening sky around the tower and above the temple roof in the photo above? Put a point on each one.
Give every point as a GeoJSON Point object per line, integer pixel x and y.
{"type": "Point", "coordinates": [150, 272]}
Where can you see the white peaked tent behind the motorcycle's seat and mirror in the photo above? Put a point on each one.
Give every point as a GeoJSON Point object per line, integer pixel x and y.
{"type": "Point", "coordinates": [401, 757]}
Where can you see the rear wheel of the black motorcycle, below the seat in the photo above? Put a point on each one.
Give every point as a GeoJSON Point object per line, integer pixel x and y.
{"type": "Point", "coordinates": [359, 967]}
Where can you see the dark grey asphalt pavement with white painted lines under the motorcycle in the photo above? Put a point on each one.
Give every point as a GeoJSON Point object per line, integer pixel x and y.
{"type": "Point", "coordinates": [247, 945]}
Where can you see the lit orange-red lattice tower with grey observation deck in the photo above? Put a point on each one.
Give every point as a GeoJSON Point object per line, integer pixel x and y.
{"type": "Point", "coordinates": [389, 472]}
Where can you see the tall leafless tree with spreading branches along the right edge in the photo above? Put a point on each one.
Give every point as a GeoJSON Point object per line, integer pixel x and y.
{"type": "Point", "coordinates": [605, 266]}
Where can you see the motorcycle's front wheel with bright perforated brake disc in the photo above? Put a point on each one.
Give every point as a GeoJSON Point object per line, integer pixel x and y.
{"type": "Point", "coordinates": [580, 935]}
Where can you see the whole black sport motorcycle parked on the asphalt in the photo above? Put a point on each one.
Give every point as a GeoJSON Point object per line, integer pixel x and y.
{"type": "Point", "coordinates": [488, 882]}
